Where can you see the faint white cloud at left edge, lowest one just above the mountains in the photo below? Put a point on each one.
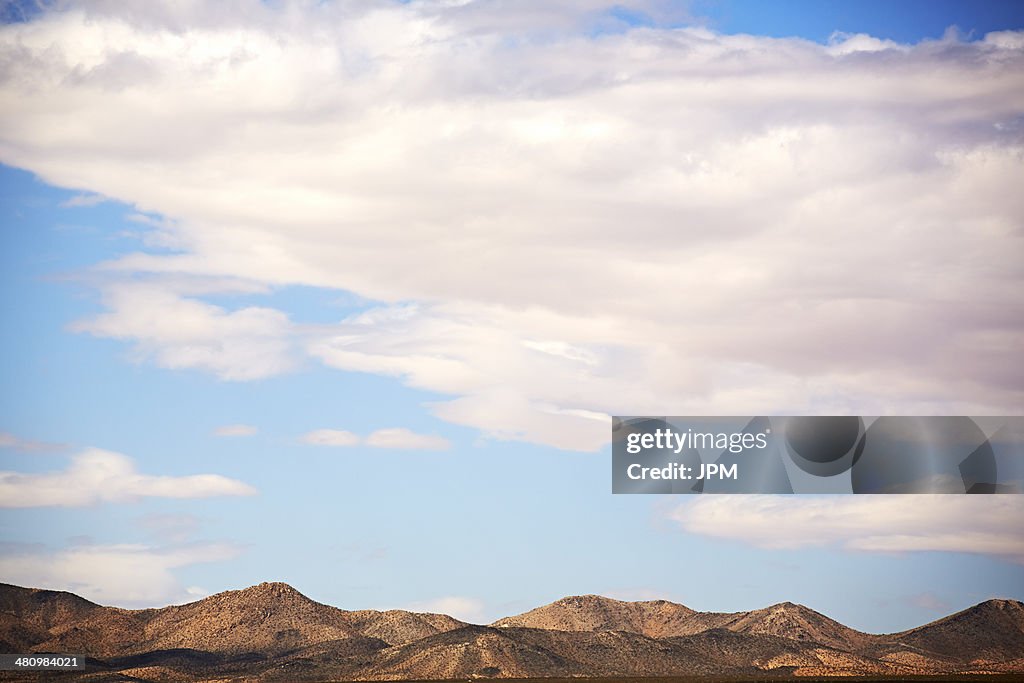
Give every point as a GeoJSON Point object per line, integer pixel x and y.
{"type": "Point", "coordinates": [125, 576]}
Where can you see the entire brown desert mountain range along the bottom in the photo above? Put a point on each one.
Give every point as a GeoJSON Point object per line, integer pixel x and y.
{"type": "Point", "coordinates": [272, 632]}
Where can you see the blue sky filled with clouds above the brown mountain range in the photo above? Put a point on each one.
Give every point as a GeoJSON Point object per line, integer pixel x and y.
{"type": "Point", "coordinates": [345, 294]}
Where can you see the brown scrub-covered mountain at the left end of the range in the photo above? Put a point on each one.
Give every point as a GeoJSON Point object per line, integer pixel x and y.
{"type": "Point", "coordinates": [270, 619]}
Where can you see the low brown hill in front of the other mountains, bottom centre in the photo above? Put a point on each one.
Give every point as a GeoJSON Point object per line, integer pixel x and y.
{"type": "Point", "coordinates": [520, 653]}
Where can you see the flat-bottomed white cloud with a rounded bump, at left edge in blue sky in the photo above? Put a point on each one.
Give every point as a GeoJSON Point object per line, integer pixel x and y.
{"type": "Point", "coordinates": [102, 477]}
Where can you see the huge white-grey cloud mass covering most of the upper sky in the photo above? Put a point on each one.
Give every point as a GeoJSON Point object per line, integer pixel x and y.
{"type": "Point", "coordinates": [558, 226]}
